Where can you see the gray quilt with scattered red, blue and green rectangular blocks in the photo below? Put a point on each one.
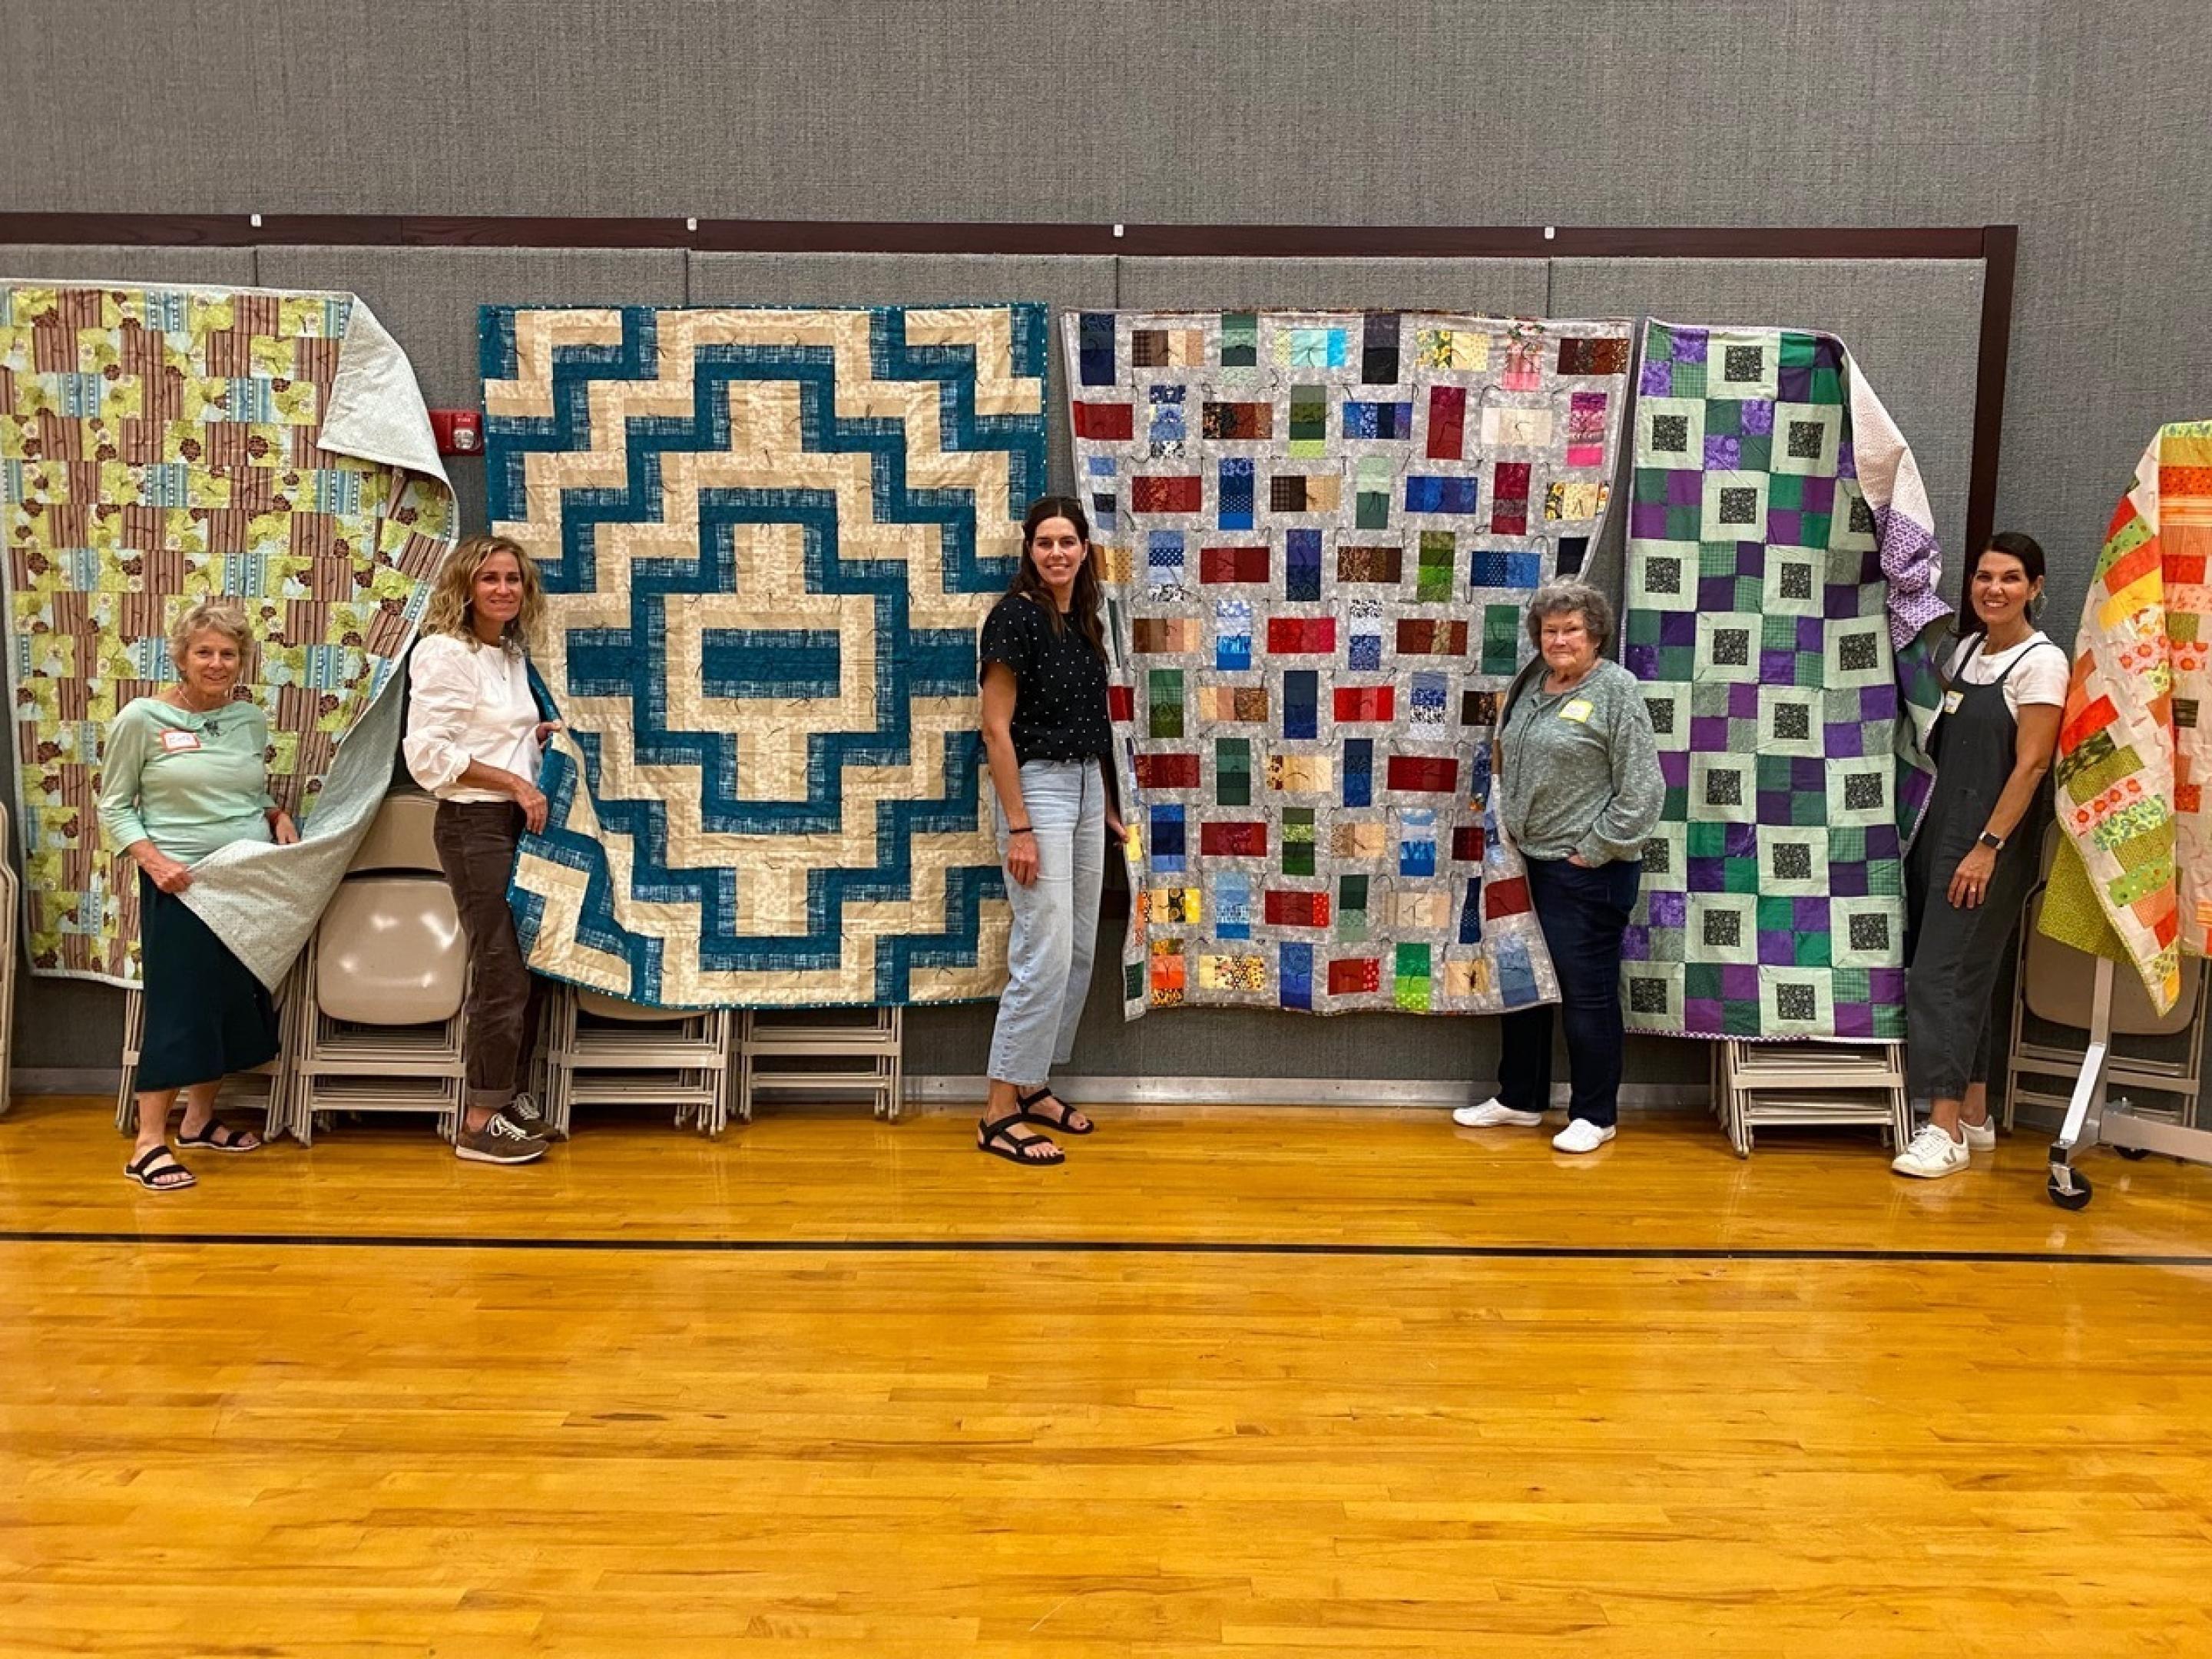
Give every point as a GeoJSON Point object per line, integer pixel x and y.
{"type": "Point", "coordinates": [1319, 532]}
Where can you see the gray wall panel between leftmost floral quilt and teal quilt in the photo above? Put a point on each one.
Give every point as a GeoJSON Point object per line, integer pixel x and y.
{"type": "Point", "coordinates": [428, 298]}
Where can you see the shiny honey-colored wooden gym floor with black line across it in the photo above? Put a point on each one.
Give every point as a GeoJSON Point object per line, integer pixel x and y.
{"type": "Point", "coordinates": [1231, 1384]}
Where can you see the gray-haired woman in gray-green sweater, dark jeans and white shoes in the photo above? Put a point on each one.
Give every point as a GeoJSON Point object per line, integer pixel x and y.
{"type": "Point", "coordinates": [1578, 793]}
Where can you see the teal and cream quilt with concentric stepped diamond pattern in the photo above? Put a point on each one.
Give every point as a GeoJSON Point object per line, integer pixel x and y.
{"type": "Point", "coordinates": [769, 539]}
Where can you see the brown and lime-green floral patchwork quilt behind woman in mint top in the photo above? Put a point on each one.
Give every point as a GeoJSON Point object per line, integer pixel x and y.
{"type": "Point", "coordinates": [169, 444]}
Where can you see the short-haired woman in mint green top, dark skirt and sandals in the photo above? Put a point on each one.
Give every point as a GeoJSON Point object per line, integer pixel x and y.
{"type": "Point", "coordinates": [180, 778]}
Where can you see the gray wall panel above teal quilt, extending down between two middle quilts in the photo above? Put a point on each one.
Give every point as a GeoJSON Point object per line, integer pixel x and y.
{"type": "Point", "coordinates": [921, 280]}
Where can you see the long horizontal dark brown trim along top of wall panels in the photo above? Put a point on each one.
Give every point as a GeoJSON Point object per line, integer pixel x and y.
{"type": "Point", "coordinates": [886, 238]}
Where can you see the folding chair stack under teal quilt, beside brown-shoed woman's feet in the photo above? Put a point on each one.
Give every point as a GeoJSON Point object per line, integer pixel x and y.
{"type": "Point", "coordinates": [605, 1052]}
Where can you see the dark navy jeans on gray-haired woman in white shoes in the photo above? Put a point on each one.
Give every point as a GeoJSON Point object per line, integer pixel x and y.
{"type": "Point", "coordinates": [1583, 915]}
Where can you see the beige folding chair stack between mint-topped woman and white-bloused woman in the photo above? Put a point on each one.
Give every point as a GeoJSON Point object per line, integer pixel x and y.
{"type": "Point", "coordinates": [377, 1021]}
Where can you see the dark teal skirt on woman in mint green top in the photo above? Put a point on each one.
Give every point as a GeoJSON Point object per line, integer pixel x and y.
{"type": "Point", "coordinates": [207, 1014]}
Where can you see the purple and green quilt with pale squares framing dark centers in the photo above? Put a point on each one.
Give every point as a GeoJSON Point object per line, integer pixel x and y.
{"type": "Point", "coordinates": [1780, 574]}
